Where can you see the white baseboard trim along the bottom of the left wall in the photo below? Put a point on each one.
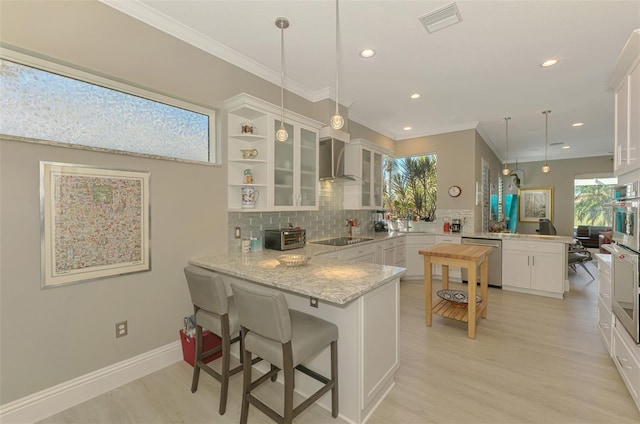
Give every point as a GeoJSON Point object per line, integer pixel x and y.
{"type": "Point", "coordinates": [55, 399]}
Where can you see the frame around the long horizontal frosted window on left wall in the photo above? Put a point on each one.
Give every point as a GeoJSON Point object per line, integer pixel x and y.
{"type": "Point", "coordinates": [48, 65]}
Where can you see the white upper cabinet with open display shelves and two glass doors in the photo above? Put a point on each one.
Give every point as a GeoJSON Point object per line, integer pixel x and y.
{"type": "Point", "coordinates": [285, 175]}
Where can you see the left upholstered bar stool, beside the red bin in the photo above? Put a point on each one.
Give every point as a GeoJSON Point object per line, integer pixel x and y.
{"type": "Point", "coordinates": [217, 313]}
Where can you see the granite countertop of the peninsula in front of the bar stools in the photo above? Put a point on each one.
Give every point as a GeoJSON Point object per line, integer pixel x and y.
{"type": "Point", "coordinates": [329, 279]}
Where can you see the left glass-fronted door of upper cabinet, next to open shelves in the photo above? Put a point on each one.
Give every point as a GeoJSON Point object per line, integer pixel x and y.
{"type": "Point", "coordinates": [283, 173]}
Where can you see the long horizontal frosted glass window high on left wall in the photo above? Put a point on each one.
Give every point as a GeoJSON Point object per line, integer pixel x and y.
{"type": "Point", "coordinates": [49, 106]}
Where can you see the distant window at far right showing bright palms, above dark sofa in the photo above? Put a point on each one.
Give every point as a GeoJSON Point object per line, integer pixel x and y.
{"type": "Point", "coordinates": [590, 196]}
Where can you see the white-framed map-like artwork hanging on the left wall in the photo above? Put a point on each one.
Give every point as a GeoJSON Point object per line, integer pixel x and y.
{"type": "Point", "coordinates": [94, 222]}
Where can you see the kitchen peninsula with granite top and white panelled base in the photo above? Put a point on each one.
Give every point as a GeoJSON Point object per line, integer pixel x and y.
{"type": "Point", "coordinates": [362, 299]}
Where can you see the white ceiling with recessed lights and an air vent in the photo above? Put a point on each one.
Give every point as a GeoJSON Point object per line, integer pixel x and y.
{"type": "Point", "coordinates": [470, 75]}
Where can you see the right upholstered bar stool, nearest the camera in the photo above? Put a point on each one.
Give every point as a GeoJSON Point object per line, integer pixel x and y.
{"type": "Point", "coordinates": [285, 338]}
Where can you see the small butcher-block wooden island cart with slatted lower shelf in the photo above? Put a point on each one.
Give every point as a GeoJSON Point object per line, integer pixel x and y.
{"type": "Point", "coordinates": [466, 256]}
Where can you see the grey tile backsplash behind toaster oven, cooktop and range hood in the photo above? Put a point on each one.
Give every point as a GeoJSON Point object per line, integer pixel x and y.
{"type": "Point", "coordinates": [329, 221]}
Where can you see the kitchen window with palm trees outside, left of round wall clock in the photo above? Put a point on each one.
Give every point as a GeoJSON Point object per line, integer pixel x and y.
{"type": "Point", "coordinates": [410, 187]}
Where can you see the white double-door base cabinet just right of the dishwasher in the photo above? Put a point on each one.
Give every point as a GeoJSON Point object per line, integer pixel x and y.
{"type": "Point", "coordinates": [534, 267]}
